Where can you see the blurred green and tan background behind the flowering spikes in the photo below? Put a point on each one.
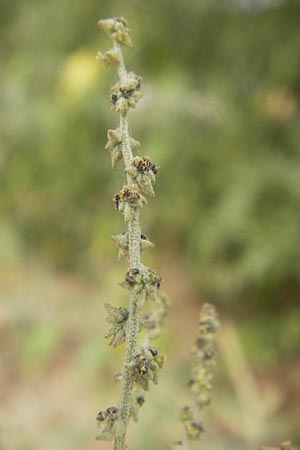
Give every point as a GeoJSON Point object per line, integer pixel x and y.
{"type": "Point", "coordinates": [220, 116]}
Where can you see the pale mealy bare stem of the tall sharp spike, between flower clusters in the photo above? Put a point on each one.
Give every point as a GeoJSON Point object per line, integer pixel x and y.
{"type": "Point", "coordinates": [134, 232]}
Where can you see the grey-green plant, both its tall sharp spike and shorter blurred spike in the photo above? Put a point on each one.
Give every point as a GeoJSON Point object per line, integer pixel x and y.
{"type": "Point", "coordinates": [142, 362]}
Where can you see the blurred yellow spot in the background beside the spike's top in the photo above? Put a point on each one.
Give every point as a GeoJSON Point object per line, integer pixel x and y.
{"type": "Point", "coordinates": [80, 72]}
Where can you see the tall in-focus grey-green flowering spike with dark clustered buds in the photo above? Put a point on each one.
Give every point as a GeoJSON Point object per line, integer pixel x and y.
{"type": "Point", "coordinates": [142, 282]}
